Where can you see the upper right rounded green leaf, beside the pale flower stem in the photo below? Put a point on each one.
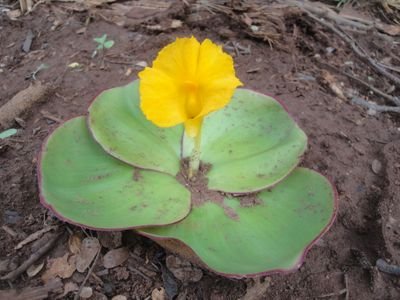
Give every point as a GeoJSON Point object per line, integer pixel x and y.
{"type": "Point", "coordinates": [251, 144]}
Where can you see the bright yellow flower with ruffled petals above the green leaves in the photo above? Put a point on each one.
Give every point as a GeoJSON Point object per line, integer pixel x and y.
{"type": "Point", "coordinates": [187, 81]}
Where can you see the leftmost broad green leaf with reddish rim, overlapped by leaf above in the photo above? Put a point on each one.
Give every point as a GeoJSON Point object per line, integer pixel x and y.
{"type": "Point", "coordinates": [84, 185]}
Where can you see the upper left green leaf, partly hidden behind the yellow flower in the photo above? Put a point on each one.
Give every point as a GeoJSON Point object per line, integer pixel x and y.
{"type": "Point", "coordinates": [118, 124]}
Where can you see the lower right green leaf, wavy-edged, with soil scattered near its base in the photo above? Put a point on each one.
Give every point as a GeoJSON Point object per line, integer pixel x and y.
{"type": "Point", "coordinates": [270, 236]}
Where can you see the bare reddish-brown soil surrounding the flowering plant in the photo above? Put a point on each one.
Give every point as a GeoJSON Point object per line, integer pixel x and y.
{"type": "Point", "coordinates": [343, 142]}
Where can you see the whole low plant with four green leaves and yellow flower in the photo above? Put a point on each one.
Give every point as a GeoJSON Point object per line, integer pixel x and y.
{"type": "Point", "coordinates": [247, 210]}
